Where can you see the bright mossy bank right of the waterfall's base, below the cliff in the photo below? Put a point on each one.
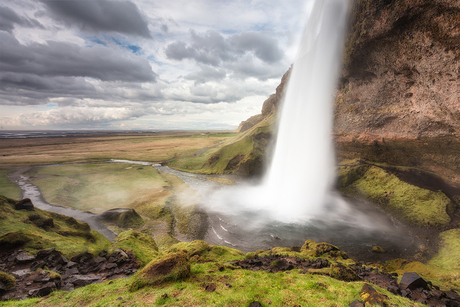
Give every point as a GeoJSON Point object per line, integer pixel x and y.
{"type": "Point", "coordinates": [413, 204]}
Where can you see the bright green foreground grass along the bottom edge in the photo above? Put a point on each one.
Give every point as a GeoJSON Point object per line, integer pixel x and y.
{"type": "Point", "coordinates": [278, 289]}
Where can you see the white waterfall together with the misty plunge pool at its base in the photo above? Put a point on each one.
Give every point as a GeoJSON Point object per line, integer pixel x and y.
{"type": "Point", "coordinates": [295, 200]}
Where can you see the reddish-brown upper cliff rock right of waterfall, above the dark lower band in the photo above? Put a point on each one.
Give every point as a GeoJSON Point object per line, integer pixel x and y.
{"type": "Point", "coordinates": [401, 76]}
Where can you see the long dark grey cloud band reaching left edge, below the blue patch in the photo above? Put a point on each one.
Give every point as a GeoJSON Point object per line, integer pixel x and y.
{"type": "Point", "coordinates": [71, 60]}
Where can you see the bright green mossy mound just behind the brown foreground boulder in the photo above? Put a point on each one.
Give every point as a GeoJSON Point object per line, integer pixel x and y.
{"type": "Point", "coordinates": [142, 245]}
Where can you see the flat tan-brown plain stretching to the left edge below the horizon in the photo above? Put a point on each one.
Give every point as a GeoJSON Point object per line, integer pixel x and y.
{"type": "Point", "coordinates": [146, 147]}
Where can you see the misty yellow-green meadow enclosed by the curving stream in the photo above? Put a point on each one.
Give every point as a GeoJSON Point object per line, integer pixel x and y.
{"type": "Point", "coordinates": [100, 187]}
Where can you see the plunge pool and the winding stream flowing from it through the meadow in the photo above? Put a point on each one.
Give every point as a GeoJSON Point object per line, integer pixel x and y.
{"type": "Point", "coordinates": [245, 232]}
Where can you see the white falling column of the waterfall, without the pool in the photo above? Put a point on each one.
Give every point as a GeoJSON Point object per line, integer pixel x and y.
{"type": "Point", "coordinates": [302, 169]}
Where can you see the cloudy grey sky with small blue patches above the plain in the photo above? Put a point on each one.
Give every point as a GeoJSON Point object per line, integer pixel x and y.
{"type": "Point", "coordinates": [142, 64]}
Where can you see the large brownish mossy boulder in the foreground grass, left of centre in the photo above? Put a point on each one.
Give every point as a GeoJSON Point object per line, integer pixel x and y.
{"type": "Point", "coordinates": [171, 267]}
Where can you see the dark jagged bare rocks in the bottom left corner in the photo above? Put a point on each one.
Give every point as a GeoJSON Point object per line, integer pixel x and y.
{"type": "Point", "coordinates": [48, 270]}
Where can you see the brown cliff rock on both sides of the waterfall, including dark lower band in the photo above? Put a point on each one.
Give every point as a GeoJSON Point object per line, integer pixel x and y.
{"type": "Point", "coordinates": [399, 96]}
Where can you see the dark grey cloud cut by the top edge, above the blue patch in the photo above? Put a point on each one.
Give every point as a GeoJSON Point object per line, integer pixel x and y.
{"type": "Point", "coordinates": [100, 16]}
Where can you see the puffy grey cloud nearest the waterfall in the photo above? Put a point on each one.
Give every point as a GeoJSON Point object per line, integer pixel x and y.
{"type": "Point", "coordinates": [211, 48]}
